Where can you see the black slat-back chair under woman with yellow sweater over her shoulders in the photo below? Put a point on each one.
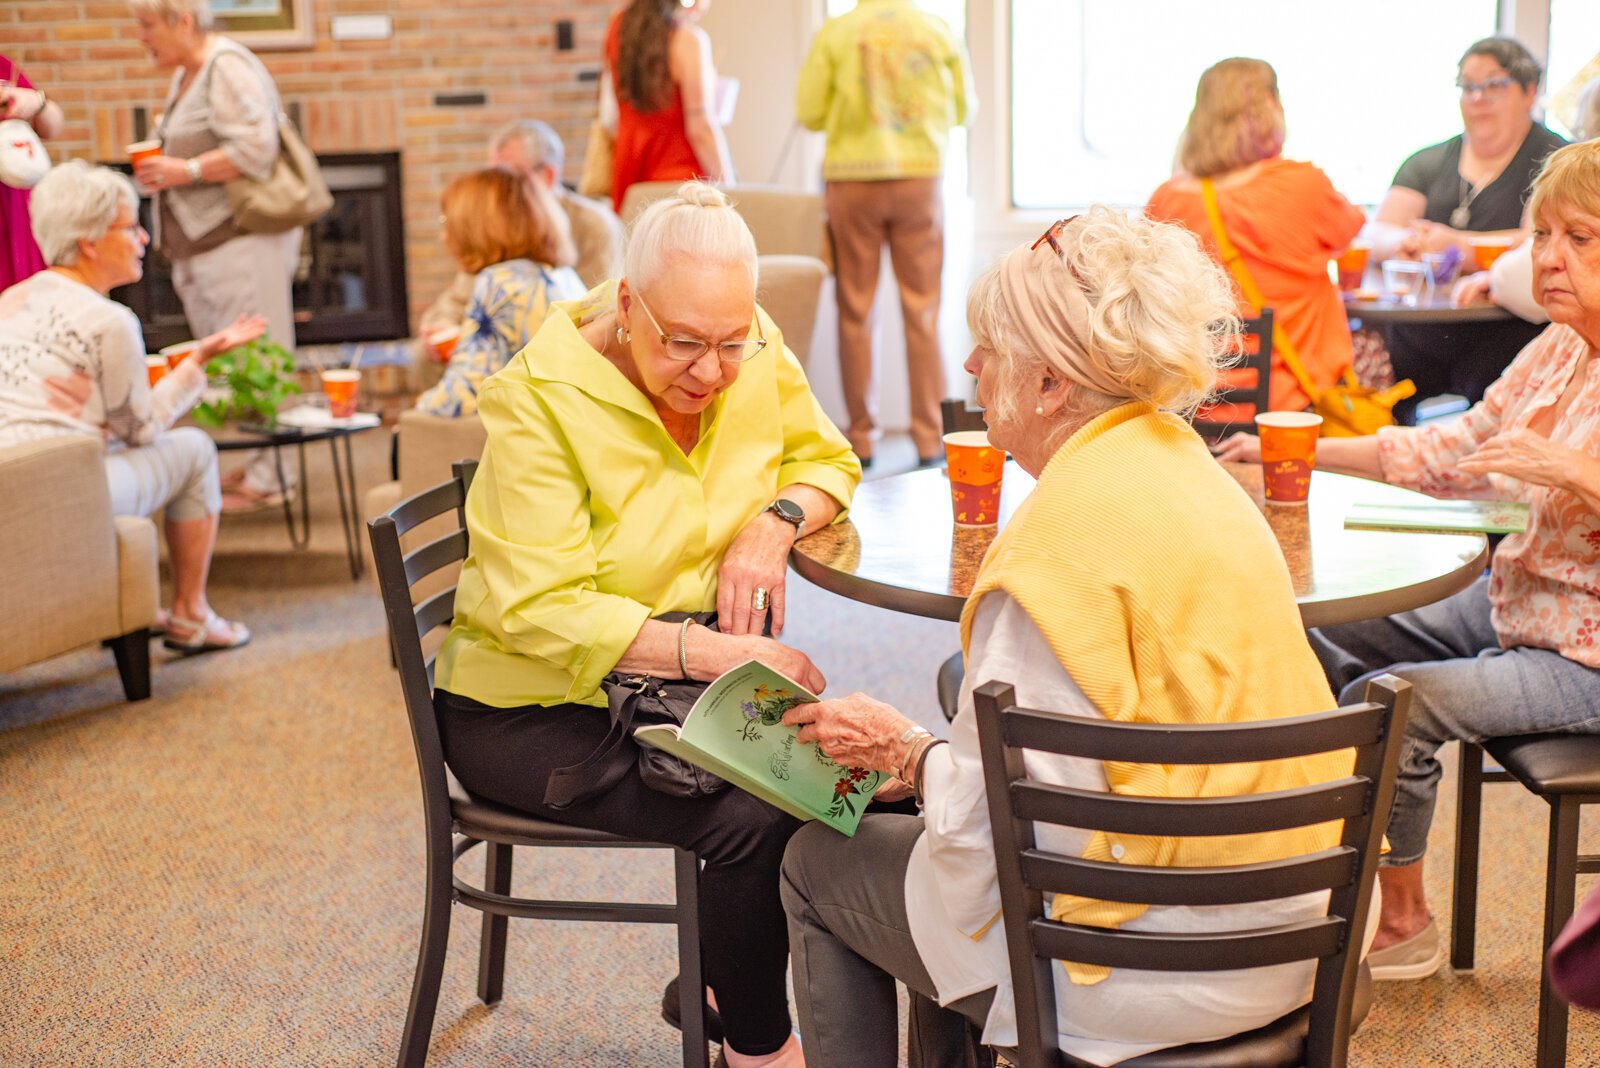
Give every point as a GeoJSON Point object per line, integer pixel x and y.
{"type": "Point", "coordinates": [1316, 1035]}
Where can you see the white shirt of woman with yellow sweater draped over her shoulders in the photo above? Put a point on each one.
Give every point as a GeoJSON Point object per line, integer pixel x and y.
{"type": "Point", "coordinates": [953, 891]}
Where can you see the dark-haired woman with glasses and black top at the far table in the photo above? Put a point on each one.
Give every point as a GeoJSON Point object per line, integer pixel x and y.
{"type": "Point", "coordinates": [1468, 188]}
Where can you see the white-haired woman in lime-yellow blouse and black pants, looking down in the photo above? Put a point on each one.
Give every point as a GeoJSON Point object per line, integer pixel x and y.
{"type": "Point", "coordinates": [655, 448]}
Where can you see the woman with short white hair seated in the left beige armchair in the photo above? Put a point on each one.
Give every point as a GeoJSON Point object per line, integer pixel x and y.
{"type": "Point", "coordinates": [74, 362]}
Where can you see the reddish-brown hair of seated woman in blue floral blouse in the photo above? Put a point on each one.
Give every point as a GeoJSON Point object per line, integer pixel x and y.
{"type": "Point", "coordinates": [498, 215]}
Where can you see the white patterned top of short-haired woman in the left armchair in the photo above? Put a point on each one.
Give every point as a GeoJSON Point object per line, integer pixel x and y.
{"type": "Point", "coordinates": [73, 362]}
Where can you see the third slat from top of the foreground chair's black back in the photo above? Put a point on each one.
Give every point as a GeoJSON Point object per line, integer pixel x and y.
{"type": "Point", "coordinates": [1233, 885]}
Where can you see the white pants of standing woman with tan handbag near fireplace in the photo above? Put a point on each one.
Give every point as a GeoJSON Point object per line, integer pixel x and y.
{"type": "Point", "coordinates": [252, 274]}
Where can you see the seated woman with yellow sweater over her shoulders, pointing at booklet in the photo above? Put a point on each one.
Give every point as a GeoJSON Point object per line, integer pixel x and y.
{"type": "Point", "coordinates": [1119, 591]}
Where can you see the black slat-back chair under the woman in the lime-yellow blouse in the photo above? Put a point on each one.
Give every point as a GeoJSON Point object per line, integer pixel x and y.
{"type": "Point", "coordinates": [457, 823]}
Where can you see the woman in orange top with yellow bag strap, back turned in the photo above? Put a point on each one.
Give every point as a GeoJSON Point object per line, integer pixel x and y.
{"type": "Point", "coordinates": [1286, 217]}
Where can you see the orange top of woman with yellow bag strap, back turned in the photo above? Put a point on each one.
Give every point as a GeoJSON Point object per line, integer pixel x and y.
{"type": "Point", "coordinates": [1287, 221]}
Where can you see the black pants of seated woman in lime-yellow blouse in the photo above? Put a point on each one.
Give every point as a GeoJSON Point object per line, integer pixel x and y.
{"type": "Point", "coordinates": [506, 755]}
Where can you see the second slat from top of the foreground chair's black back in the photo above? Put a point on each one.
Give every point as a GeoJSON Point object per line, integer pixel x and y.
{"type": "Point", "coordinates": [1190, 818]}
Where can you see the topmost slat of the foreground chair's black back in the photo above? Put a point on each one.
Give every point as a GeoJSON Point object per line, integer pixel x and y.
{"type": "Point", "coordinates": [1196, 744]}
